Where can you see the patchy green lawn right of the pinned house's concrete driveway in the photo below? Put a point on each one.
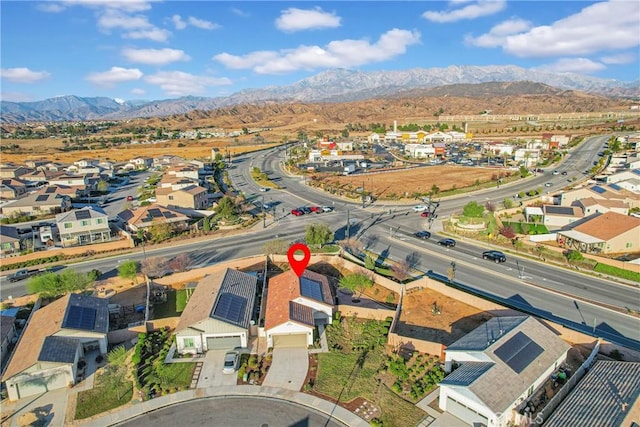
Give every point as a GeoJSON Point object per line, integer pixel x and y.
{"type": "Point", "coordinates": [346, 377]}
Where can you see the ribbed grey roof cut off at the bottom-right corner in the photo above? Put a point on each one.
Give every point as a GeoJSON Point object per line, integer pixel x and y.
{"type": "Point", "coordinates": [608, 395]}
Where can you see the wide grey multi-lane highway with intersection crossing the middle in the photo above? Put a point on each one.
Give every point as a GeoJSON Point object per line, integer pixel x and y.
{"type": "Point", "coordinates": [582, 301]}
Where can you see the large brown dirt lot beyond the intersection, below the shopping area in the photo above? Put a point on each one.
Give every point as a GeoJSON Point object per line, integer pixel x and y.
{"type": "Point", "coordinates": [419, 180]}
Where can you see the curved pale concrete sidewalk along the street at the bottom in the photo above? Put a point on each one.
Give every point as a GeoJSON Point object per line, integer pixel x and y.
{"type": "Point", "coordinates": [336, 412]}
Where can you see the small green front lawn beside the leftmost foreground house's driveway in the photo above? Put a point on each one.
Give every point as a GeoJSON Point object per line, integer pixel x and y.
{"type": "Point", "coordinates": [103, 397]}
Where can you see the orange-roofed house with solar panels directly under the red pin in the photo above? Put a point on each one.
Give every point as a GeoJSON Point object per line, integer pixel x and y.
{"type": "Point", "coordinates": [294, 306]}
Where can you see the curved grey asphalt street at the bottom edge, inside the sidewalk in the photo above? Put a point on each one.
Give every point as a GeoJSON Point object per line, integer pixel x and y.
{"type": "Point", "coordinates": [235, 411]}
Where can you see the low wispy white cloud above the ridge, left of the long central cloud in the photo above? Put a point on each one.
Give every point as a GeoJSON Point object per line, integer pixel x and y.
{"type": "Point", "coordinates": [178, 83]}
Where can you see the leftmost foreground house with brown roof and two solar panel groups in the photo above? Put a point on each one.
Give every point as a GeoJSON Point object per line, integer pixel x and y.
{"type": "Point", "coordinates": [53, 342]}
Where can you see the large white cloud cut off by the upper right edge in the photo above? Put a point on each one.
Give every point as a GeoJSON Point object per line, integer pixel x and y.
{"type": "Point", "coordinates": [600, 27]}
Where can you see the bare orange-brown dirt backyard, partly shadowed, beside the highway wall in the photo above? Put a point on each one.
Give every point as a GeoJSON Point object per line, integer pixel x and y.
{"type": "Point", "coordinates": [453, 320]}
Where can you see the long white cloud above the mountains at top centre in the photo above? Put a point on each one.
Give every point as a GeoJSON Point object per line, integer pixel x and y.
{"type": "Point", "coordinates": [341, 53]}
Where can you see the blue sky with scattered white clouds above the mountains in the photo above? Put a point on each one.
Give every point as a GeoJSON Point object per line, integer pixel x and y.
{"type": "Point", "coordinates": [152, 50]}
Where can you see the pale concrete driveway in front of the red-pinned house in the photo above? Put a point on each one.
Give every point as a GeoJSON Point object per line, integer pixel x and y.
{"type": "Point", "coordinates": [288, 369]}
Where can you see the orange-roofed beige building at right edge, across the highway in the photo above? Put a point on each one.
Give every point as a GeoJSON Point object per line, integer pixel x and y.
{"type": "Point", "coordinates": [606, 233]}
